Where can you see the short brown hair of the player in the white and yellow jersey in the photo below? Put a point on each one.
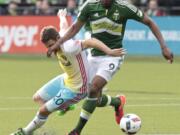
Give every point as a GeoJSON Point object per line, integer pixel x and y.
{"type": "Point", "coordinates": [47, 33]}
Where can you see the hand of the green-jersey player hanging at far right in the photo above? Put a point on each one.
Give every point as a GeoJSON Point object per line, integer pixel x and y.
{"type": "Point", "coordinates": [168, 55]}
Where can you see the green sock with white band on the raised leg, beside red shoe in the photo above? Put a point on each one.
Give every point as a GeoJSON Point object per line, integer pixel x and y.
{"type": "Point", "coordinates": [108, 100]}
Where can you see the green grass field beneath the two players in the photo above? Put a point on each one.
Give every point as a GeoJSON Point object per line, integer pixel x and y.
{"type": "Point", "coordinates": [151, 85]}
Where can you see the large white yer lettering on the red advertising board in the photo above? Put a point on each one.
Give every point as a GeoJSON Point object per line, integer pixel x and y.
{"type": "Point", "coordinates": [18, 36]}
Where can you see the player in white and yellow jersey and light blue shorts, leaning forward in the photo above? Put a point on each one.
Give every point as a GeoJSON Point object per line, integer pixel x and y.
{"type": "Point", "coordinates": [70, 87]}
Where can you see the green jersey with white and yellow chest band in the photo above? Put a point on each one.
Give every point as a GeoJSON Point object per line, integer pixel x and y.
{"type": "Point", "coordinates": [108, 25]}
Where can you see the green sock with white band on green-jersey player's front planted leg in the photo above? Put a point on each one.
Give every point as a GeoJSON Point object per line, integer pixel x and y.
{"type": "Point", "coordinates": [88, 108]}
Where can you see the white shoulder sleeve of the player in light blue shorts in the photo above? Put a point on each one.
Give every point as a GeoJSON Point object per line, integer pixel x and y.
{"type": "Point", "coordinates": [72, 47]}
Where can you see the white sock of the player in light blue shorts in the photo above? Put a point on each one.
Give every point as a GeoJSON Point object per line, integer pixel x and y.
{"type": "Point", "coordinates": [37, 122]}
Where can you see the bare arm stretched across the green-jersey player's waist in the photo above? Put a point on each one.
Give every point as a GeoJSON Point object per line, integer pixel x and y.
{"type": "Point", "coordinates": [95, 43]}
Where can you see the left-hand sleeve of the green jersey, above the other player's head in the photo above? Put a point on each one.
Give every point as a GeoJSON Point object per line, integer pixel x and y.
{"type": "Point", "coordinates": [83, 12]}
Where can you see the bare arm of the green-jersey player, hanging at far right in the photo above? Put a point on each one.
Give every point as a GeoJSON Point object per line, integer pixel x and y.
{"type": "Point", "coordinates": [155, 30]}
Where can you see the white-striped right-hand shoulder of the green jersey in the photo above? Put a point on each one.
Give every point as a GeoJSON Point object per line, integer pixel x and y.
{"type": "Point", "coordinates": [126, 4]}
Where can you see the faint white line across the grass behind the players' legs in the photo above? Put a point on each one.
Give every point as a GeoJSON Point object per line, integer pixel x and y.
{"type": "Point", "coordinates": [131, 105]}
